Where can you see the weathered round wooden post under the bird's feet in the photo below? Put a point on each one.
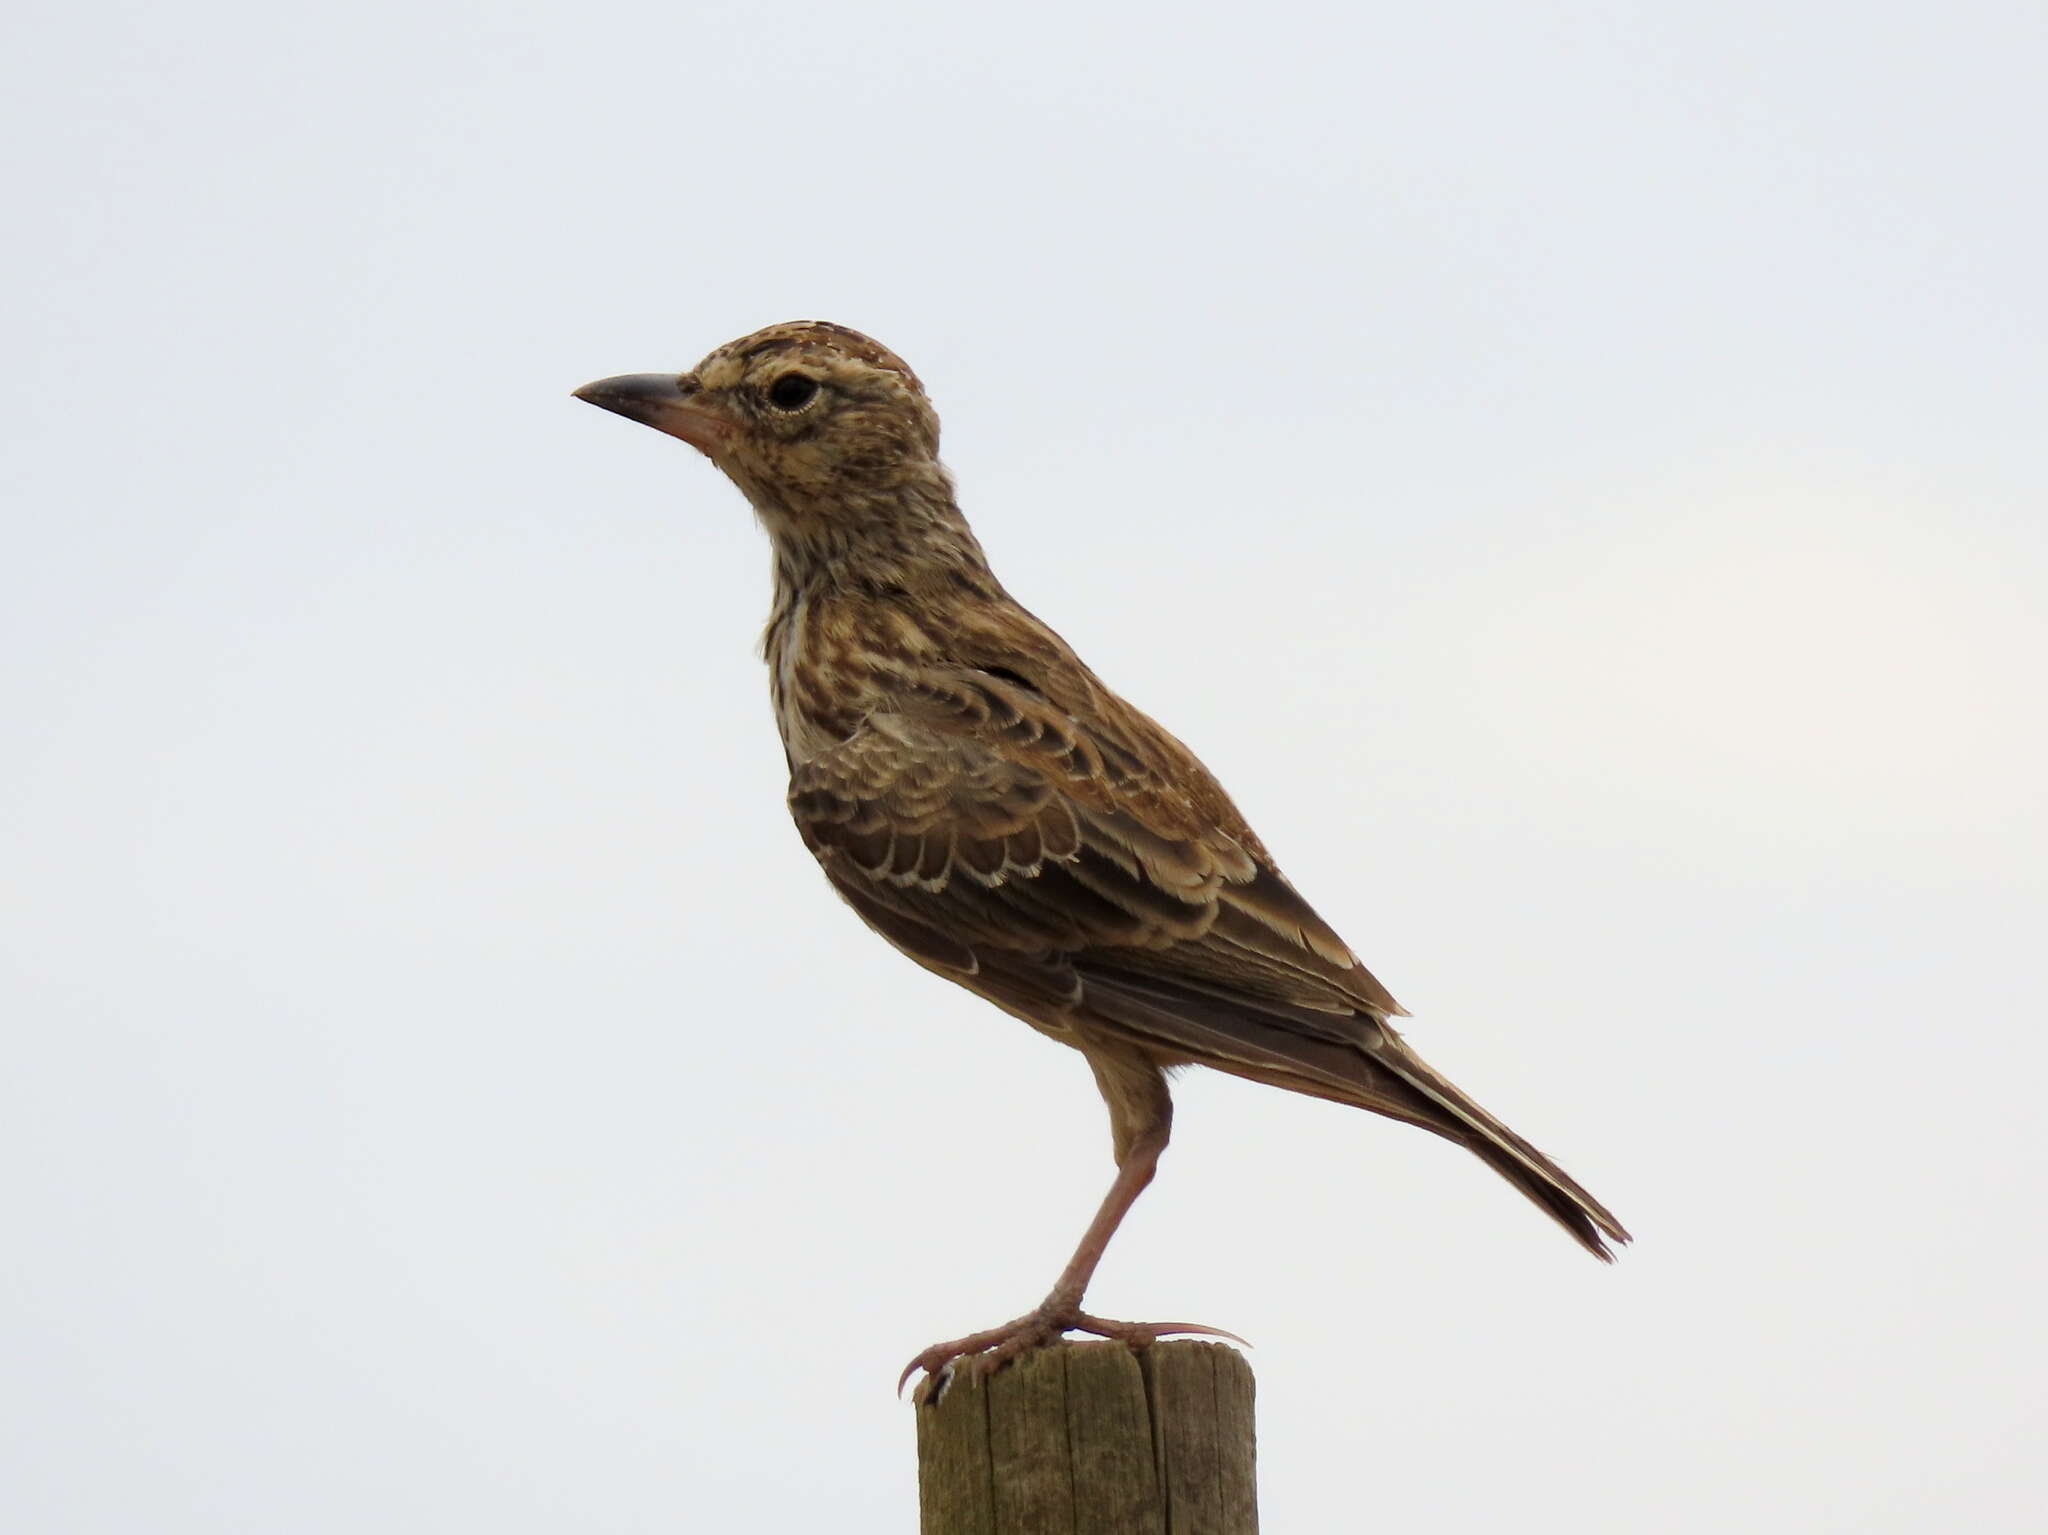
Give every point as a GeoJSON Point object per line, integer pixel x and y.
{"type": "Point", "coordinates": [1091, 1440]}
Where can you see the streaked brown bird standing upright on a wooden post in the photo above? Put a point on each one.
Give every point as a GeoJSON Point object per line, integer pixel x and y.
{"type": "Point", "coordinates": [992, 809]}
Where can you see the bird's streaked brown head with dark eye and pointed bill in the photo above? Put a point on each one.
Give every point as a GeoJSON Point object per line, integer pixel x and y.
{"type": "Point", "coordinates": [818, 425]}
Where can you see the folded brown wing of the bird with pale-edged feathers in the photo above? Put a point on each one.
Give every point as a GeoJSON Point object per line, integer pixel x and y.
{"type": "Point", "coordinates": [978, 820]}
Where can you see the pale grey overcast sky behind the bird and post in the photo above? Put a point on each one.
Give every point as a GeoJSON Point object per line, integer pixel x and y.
{"type": "Point", "coordinates": [1576, 476]}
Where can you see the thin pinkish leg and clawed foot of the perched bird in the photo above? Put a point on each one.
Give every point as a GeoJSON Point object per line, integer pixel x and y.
{"type": "Point", "coordinates": [1062, 1309]}
